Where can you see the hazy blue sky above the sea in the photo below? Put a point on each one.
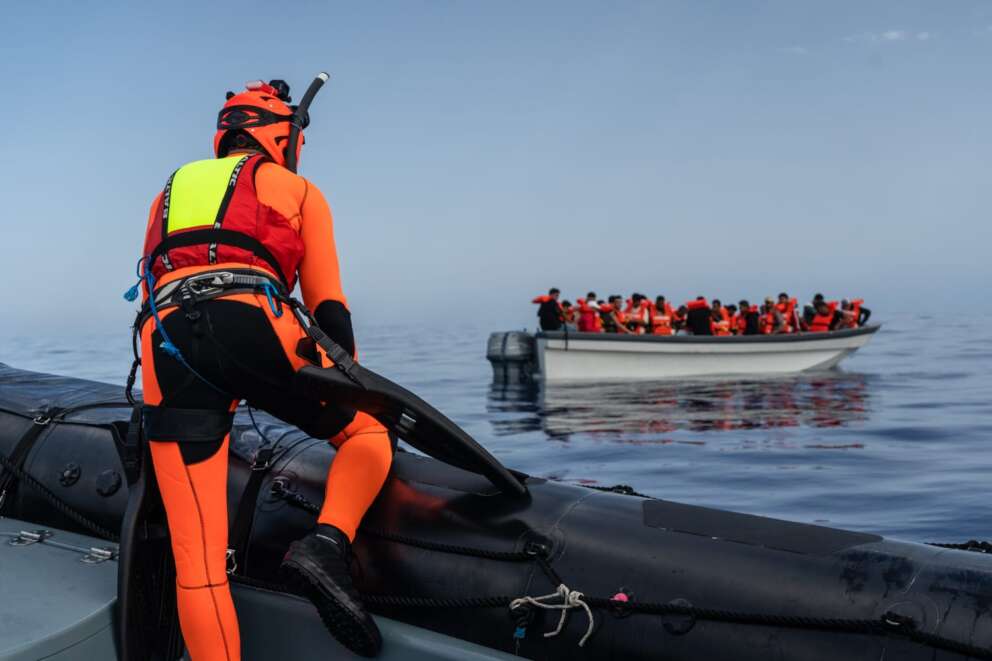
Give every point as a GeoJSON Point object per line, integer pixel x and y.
{"type": "Point", "coordinates": [476, 153]}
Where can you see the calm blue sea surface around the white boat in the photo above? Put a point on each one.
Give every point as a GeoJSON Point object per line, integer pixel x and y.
{"type": "Point", "coordinates": [899, 441]}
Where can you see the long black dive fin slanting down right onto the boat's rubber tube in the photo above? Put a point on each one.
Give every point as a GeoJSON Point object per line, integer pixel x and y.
{"type": "Point", "coordinates": [411, 418]}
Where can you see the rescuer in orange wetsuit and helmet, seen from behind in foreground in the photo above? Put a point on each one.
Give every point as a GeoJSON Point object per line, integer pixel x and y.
{"type": "Point", "coordinates": [237, 231]}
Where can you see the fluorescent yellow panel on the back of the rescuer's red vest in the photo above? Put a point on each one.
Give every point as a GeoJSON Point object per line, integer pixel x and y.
{"type": "Point", "coordinates": [198, 189]}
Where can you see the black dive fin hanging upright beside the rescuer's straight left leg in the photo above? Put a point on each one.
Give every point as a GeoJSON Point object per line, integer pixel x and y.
{"type": "Point", "coordinates": [147, 620]}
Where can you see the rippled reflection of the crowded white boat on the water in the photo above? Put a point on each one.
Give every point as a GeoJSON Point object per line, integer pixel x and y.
{"type": "Point", "coordinates": [642, 412]}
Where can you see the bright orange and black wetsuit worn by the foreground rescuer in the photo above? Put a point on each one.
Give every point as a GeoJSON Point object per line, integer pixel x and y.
{"type": "Point", "coordinates": [256, 357]}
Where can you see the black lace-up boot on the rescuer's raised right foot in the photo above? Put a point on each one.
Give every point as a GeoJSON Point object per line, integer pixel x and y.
{"type": "Point", "coordinates": [318, 567]}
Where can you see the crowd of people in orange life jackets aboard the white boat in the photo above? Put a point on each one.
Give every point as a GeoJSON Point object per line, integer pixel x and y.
{"type": "Point", "coordinates": [638, 315]}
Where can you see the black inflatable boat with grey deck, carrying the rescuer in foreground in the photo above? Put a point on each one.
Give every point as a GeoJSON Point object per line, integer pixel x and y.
{"type": "Point", "coordinates": [455, 568]}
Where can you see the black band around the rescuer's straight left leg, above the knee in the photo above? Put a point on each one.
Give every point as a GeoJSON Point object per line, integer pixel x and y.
{"type": "Point", "coordinates": [199, 432]}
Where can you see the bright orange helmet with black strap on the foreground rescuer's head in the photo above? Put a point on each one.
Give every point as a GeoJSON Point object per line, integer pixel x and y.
{"type": "Point", "coordinates": [263, 113]}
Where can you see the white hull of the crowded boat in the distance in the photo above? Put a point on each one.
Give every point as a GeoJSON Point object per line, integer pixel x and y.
{"type": "Point", "coordinates": [589, 356]}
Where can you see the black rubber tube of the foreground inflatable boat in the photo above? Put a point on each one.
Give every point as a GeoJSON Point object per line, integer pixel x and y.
{"type": "Point", "coordinates": [438, 536]}
